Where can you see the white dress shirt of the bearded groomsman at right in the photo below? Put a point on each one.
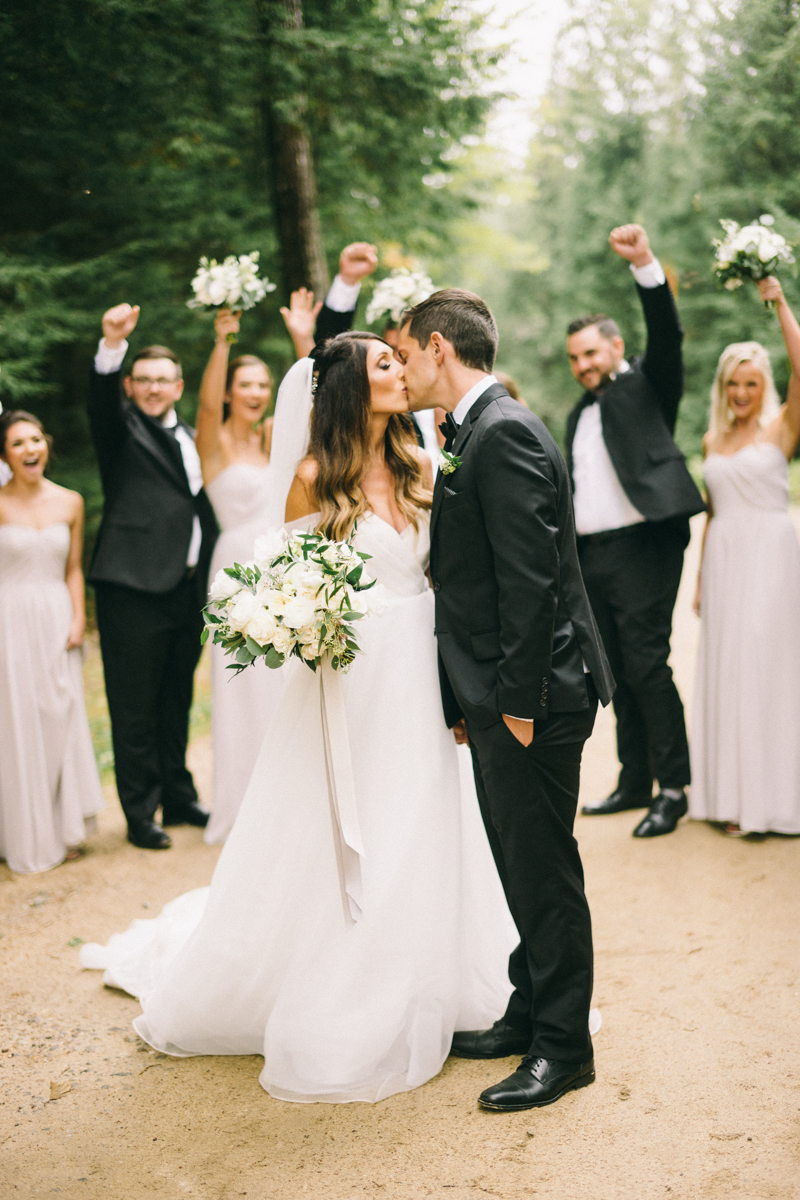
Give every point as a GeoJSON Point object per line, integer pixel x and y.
{"type": "Point", "coordinates": [600, 500]}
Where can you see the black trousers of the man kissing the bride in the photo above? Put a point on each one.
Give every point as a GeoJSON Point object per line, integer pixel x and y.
{"type": "Point", "coordinates": [530, 797]}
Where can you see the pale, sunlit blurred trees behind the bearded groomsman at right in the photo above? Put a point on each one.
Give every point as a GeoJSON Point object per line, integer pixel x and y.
{"type": "Point", "coordinates": [665, 118]}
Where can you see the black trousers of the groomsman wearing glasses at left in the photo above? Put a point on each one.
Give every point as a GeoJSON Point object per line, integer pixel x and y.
{"type": "Point", "coordinates": [151, 645]}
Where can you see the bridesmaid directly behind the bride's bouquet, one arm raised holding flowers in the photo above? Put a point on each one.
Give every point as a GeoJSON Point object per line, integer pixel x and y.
{"type": "Point", "coordinates": [233, 441]}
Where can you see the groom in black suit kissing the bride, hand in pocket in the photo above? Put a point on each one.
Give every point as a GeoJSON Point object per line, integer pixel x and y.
{"type": "Point", "coordinates": [522, 667]}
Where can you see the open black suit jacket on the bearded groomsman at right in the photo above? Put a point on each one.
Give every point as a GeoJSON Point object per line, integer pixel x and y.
{"type": "Point", "coordinates": [639, 412]}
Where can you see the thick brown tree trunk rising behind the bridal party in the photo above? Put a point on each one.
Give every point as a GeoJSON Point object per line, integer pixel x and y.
{"type": "Point", "coordinates": [294, 189]}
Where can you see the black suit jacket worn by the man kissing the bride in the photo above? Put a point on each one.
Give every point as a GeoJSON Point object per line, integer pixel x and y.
{"type": "Point", "coordinates": [514, 621]}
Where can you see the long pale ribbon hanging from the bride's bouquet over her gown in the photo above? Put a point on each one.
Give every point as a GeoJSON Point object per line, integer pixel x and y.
{"type": "Point", "coordinates": [341, 790]}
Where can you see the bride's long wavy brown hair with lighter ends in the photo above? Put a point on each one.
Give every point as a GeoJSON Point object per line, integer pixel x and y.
{"type": "Point", "coordinates": [341, 445]}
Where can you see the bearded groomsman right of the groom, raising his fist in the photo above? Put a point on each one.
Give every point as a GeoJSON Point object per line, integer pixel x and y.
{"type": "Point", "coordinates": [634, 497]}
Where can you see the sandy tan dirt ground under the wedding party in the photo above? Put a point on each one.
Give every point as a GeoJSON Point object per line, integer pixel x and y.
{"type": "Point", "coordinates": [699, 1076]}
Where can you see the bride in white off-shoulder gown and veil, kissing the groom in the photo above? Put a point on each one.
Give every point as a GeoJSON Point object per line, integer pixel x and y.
{"type": "Point", "coordinates": [267, 961]}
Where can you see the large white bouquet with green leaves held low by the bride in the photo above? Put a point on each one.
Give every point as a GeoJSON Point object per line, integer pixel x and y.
{"type": "Point", "coordinates": [299, 596]}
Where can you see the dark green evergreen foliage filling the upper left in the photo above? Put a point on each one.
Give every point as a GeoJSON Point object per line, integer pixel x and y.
{"type": "Point", "coordinates": [133, 136]}
